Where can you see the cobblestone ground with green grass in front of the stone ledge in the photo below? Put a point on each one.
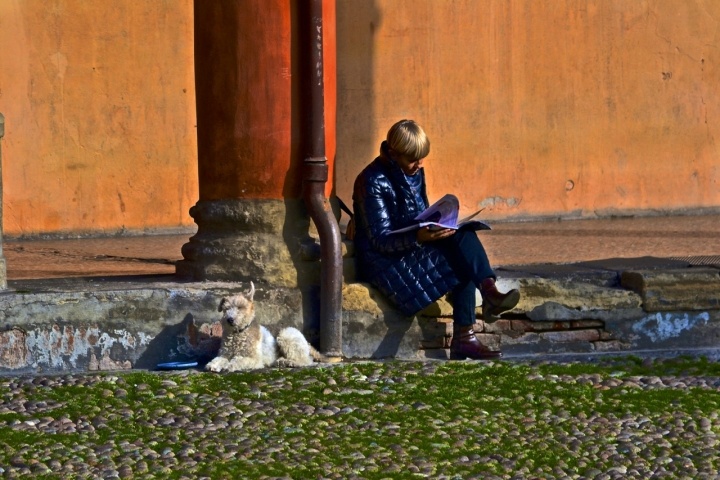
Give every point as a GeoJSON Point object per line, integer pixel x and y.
{"type": "Point", "coordinates": [369, 420]}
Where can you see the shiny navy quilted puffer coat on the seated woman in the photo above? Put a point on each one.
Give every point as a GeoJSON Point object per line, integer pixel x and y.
{"type": "Point", "coordinates": [411, 275]}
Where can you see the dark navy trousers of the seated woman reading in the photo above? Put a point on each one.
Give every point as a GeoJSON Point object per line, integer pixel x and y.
{"type": "Point", "coordinates": [470, 262]}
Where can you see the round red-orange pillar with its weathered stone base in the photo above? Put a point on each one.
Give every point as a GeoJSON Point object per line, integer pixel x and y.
{"type": "Point", "coordinates": [251, 141]}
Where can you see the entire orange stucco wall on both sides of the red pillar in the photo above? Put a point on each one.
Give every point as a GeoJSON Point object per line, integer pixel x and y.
{"type": "Point", "coordinates": [563, 108]}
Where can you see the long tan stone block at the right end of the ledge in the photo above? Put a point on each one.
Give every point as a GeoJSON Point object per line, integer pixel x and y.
{"type": "Point", "coordinates": [675, 290]}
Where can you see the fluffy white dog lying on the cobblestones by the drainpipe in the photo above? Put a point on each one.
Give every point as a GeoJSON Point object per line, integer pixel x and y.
{"type": "Point", "coordinates": [247, 345]}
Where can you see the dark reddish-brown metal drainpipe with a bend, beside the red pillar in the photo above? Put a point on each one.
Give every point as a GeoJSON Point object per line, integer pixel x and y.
{"type": "Point", "coordinates": [315, 176]}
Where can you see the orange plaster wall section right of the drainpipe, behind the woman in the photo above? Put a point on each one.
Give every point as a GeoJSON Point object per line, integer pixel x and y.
{"type": "Point", "coordinates": [572, 108]}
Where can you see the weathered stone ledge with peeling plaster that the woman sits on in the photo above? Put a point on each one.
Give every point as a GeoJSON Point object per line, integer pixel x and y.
{"type": "Point", "coordinates": [105, 325]}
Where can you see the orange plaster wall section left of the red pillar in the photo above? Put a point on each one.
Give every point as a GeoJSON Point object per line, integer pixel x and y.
{"type": "Point", "coordinates": [99, 104]}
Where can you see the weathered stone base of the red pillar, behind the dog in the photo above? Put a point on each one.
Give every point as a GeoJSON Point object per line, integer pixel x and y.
{"type": "Point", "coordinates": [249, 240]}
